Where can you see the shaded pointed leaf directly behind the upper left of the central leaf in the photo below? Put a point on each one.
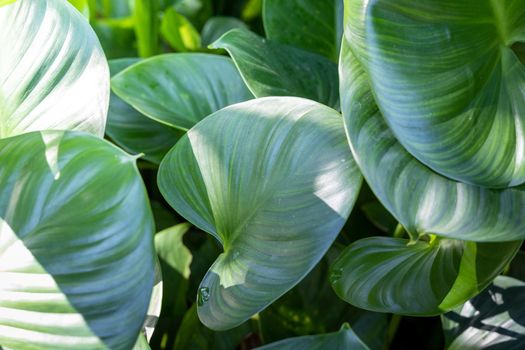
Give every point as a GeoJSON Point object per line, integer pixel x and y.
{"type": "Point", "coordinates": [181, 89]}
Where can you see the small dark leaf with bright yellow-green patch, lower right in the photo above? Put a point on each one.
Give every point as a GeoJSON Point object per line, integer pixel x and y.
{"type": "Point", "coordinates": [422, 278]}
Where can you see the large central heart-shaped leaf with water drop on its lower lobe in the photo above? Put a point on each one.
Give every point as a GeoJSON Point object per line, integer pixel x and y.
{"type": "Point", "coordinates": [273, 180]}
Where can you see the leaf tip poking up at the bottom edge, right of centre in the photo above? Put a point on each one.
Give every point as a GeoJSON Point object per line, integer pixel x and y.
{"type": "Point", "coordinates": [343, 340]}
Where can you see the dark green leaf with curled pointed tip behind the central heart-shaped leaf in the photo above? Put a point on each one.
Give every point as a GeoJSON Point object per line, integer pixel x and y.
{"type": "Point", "coordinates": [272, 69]}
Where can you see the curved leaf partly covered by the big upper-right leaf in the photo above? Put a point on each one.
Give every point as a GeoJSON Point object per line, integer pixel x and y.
{"type": "Point", "coordinates": [421, 200]}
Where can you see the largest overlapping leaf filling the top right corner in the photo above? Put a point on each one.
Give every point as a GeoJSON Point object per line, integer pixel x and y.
{"type": "Point", "coordinates": [469, 122]}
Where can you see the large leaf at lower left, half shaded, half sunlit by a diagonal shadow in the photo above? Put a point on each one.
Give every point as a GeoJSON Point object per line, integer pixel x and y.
{"type": "Point", "coordinates": [76, 247]}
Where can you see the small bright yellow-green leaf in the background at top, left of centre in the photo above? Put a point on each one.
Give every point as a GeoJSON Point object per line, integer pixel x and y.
{"type": "Point", "coordinates": [179, 32]}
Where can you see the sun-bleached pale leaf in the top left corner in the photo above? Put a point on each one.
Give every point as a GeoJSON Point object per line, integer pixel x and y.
{"type": "Point", "coordinates": [54, 74]}
